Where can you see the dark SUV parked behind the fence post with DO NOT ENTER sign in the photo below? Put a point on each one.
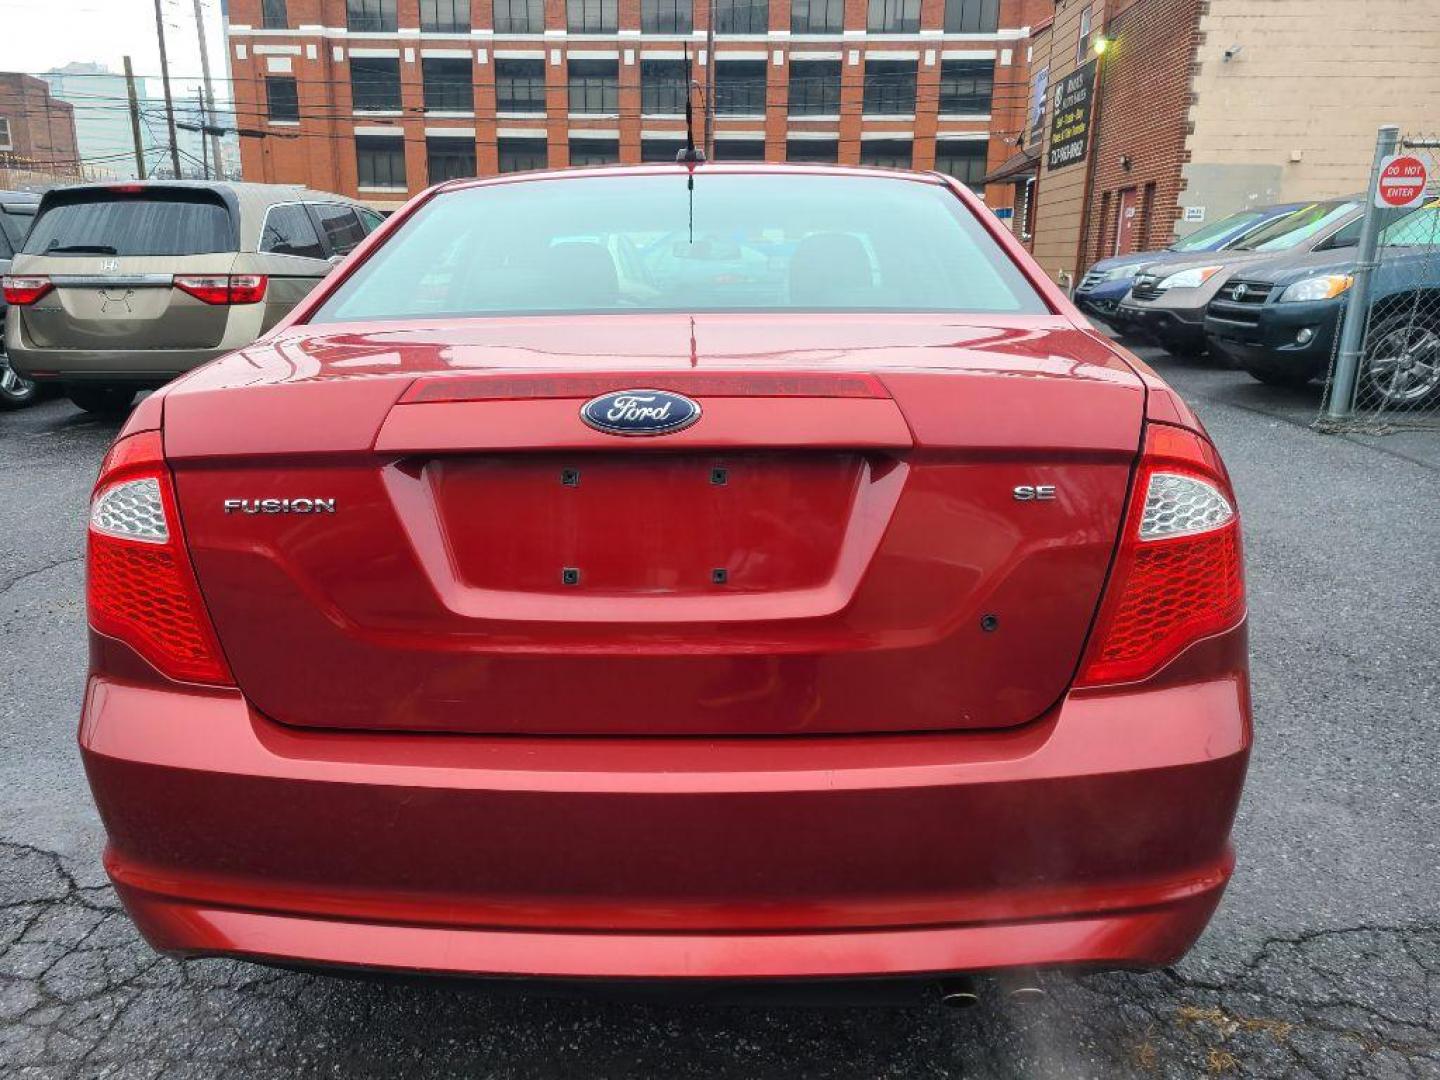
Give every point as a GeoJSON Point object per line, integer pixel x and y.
{"type": "Point", "coordinates": [1279, 319]}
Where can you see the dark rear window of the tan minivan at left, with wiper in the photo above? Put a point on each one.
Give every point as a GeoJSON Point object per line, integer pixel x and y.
{"type": "Point", "coordinates": [104, 224]}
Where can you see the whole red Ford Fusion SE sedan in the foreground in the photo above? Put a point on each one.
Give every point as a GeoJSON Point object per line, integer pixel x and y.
{"type": "Point", "coordinates": [672, 572]}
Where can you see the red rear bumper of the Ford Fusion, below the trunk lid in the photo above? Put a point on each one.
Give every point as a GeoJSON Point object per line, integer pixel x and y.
{"type": "Point", "coordinates": [1098, 837]}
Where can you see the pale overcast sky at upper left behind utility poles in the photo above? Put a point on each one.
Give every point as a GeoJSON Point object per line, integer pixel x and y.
{"type": "Point", "coordinates": [37, 35]}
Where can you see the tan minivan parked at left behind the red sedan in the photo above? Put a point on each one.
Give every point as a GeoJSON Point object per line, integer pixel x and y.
{"type": "Point", "coordinates": [123, 287]}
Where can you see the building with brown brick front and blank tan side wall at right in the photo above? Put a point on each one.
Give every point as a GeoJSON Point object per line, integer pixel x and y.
{"type": "Point", "coordinates": [1206, 107]}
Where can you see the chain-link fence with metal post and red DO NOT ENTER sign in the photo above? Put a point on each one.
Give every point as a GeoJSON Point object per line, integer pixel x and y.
{"type": "Point", "coordinates": [1386, 364]}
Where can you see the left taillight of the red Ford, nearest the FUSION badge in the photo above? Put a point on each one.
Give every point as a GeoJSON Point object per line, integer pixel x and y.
{"type": "Point", "coordinates": [140, 585]}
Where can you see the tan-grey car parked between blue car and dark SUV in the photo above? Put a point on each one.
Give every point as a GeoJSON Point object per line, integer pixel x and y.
{"type": "Point", "coordinates": [1169, 303]}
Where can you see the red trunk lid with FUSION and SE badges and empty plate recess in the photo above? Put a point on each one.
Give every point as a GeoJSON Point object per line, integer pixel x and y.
{"type": "Point", "coordinates": [837, 546]}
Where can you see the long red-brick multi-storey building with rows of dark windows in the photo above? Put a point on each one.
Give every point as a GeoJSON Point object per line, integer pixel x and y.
{"type": "Point", "coordinates": [379, 99]}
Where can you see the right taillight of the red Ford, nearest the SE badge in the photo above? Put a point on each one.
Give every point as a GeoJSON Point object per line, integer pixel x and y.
{"type": "Point", "coordinates": [1179, 575]}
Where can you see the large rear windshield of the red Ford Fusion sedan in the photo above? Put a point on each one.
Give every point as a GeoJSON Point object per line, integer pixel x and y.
{"type": "Point", "coordinates": [737, 243]}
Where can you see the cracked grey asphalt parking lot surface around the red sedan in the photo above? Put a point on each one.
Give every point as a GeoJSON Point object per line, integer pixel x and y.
{"type": "Point", "coordinates": [1323, 963]}
